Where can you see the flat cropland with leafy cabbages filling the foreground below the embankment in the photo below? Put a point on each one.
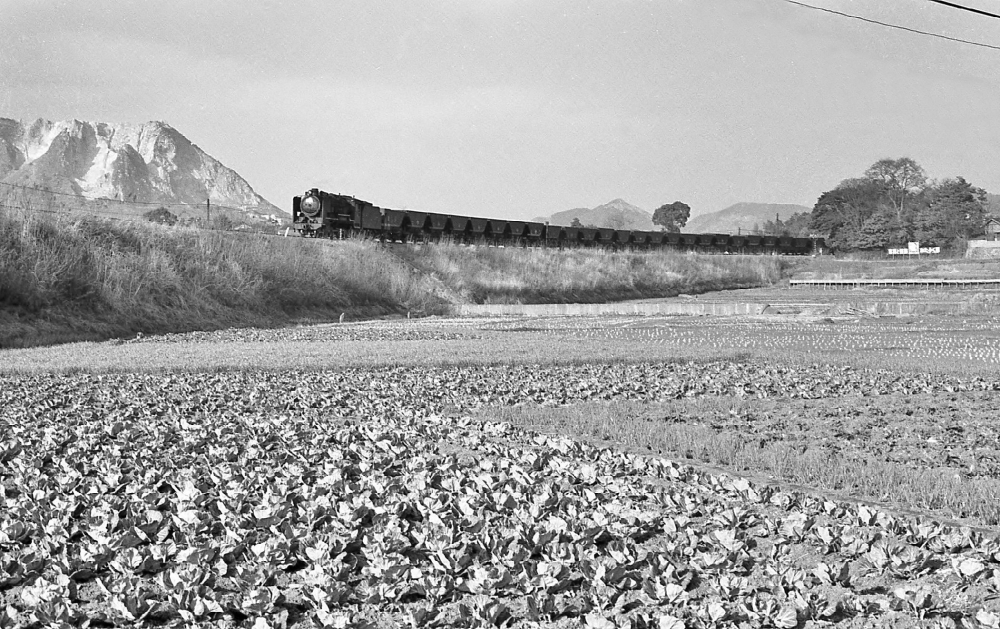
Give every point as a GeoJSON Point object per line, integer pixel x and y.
{"type": "Point", "coordinates": [419, 495]}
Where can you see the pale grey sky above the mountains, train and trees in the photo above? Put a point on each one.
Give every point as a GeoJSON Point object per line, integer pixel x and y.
{"type": "Point", "coordinates": [522, 108]}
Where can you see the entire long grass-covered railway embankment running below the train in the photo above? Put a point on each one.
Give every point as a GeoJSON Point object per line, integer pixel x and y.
{"type": "Point", "coordinates": [75, 278]}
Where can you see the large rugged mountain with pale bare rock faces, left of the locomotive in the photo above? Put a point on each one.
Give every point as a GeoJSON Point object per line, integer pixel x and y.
{"type": "Point", "coordinates": [133, 164]}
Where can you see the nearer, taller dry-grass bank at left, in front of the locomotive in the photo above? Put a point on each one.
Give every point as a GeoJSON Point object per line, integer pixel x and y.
{"type": "Point", "coordinates": [68, 279]}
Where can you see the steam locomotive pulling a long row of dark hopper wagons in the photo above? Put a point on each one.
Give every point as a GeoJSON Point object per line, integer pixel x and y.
{"type": "Point", "coordinates": [318, 214]}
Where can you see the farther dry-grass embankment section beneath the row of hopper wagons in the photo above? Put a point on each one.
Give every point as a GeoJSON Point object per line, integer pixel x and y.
{"type": "Point", "coordinates": [538, 275]}
